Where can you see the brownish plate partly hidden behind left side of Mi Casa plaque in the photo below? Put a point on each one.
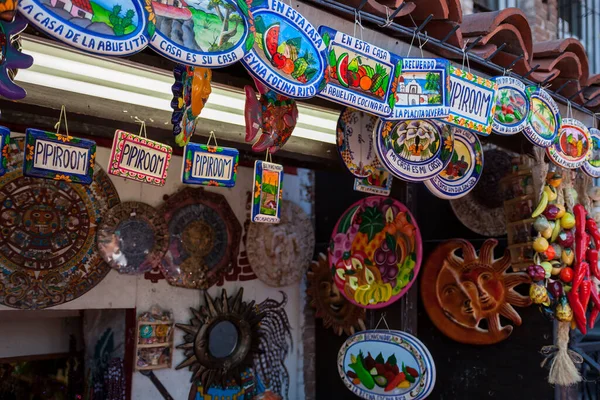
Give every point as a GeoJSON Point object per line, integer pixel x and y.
{"type": "Point", "coordinates": [355, 142]}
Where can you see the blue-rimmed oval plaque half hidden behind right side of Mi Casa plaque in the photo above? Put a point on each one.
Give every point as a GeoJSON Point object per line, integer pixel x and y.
{"type": "Point", "coordinates": [464, 169]}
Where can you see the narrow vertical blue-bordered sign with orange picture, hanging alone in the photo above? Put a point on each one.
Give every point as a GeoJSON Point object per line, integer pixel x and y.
{"type": "Point", "coordinates": [268, 192]}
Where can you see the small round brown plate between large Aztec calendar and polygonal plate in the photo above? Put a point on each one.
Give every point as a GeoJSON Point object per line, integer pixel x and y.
{"type": "Point", "coordinates": [133, 237]}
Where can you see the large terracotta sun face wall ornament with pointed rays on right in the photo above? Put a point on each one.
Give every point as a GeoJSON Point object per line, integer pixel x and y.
{"type": "Point", "coordinates": [459, 293]}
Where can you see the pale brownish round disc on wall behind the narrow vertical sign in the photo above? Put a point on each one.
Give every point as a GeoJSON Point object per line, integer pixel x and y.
{"type": "Point", "coordinates": [280, 253]}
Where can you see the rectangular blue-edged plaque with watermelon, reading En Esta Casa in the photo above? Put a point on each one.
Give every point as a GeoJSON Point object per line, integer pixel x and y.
{"type": "Point", "coordinates": [359, 74]}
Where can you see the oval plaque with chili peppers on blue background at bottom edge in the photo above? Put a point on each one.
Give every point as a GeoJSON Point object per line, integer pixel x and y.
{"type": "Point", "coordinates": [405, 369]}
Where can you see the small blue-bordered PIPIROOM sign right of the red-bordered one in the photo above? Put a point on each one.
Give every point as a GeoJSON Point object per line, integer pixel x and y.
{"type": "Point", "coordinates": [209, 165]}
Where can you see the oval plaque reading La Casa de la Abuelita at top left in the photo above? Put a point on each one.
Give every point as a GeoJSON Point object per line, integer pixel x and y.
{"type": "Point", "coordinates": [108, 27]}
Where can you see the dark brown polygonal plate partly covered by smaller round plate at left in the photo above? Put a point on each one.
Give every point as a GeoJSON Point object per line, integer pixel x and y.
{"type": "Point", "coordinates": [204, 238]}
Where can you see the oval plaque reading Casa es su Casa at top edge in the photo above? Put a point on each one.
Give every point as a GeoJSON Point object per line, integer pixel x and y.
{"type": "Point", "coordinates": [201, 33]}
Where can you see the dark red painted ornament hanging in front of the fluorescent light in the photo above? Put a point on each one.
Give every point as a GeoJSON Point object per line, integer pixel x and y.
{"type": "Point", "coordinates": [272, 114]}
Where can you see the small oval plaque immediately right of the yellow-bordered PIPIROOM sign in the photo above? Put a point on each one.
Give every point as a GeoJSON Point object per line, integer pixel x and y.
{"type": "Point", "coordinates": [512, 106]}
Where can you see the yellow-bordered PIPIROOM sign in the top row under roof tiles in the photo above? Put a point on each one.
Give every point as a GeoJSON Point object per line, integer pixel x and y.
{"type": "Point", "coordinates": [472, 101]}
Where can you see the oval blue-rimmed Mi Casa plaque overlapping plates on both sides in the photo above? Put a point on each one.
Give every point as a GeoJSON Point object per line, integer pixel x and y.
{"type": "Point", "coordinates": [413, 150]}
